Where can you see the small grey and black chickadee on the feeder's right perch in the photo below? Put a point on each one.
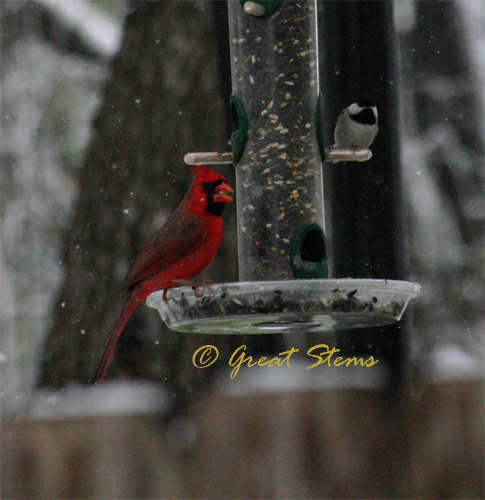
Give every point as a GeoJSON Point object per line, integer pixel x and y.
{"type": "Point", "coordinates": [356, 125]}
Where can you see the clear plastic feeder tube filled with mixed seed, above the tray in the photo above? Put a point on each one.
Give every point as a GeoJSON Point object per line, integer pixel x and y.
{"type": "Point", "coordinates": [274, 62]}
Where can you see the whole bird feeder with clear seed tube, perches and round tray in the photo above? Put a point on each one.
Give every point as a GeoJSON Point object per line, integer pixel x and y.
{"type": "Point", "coordinates": [278, 151]}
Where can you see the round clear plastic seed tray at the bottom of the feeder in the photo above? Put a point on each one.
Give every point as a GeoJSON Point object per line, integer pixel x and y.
{"type": "Point", "coordinates": [304, 306]}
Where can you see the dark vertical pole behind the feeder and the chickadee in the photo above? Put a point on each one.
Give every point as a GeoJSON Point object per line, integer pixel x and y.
{"type": "Point", "coordinates": [367, 210]}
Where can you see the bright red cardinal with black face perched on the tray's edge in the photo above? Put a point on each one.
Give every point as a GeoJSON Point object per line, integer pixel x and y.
{"type": "Point", "coordinates": [181, 249]}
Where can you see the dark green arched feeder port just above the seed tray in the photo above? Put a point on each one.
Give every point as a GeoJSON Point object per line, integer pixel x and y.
{"type": "Point", "coordinates": [308, 256]}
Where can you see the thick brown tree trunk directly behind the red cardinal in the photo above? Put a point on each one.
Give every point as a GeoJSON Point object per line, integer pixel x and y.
{"type": "Point", "coordinates": [161, 102]}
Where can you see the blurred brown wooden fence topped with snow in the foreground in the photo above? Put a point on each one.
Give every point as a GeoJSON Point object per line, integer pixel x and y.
{"type": "Point", "coordinates": [318, 443]}
